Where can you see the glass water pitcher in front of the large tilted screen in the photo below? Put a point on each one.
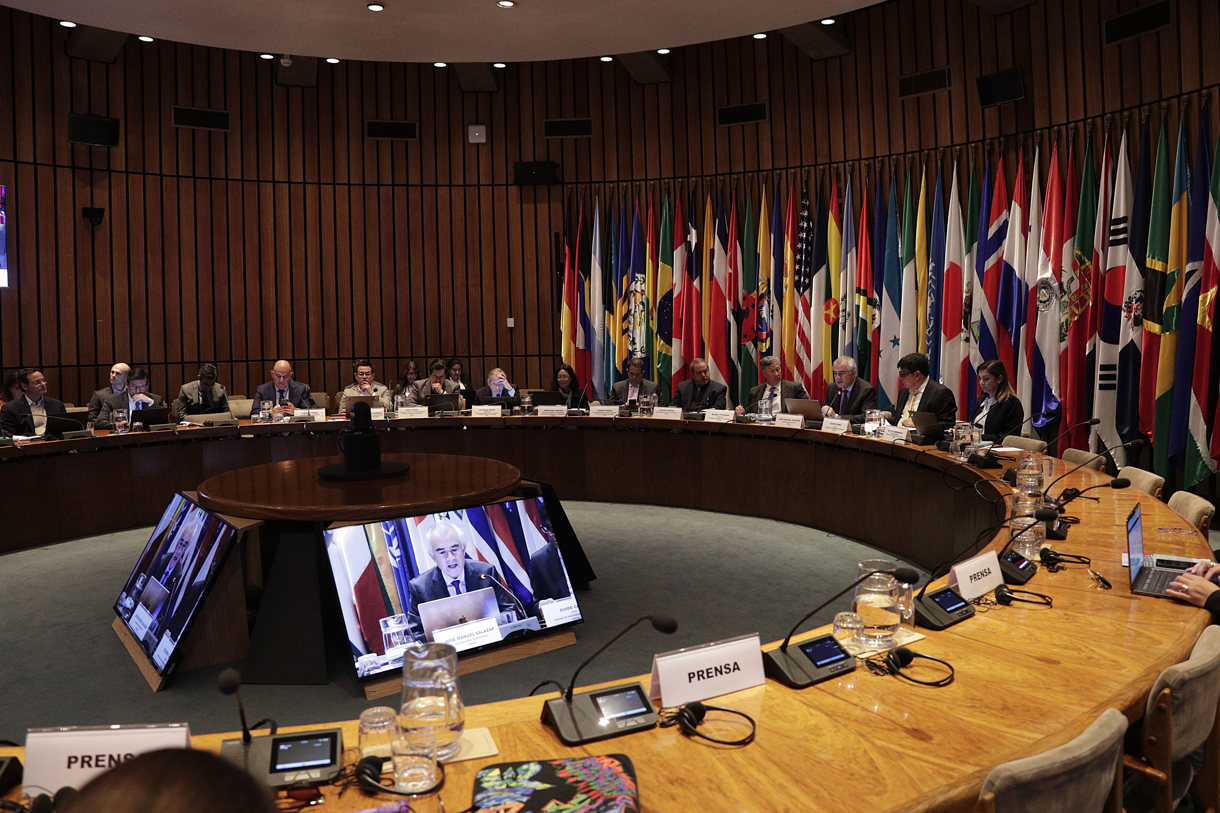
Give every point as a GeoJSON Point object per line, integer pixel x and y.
{"type": "Point", "coordinates": [430, 695]}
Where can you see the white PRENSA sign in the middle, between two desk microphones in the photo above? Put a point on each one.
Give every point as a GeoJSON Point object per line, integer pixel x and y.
{"type": "Point", "coordinates": [708, 671]}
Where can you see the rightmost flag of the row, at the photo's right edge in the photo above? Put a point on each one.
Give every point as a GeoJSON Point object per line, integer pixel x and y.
{"type": "Point", "coordinates": [1195, 336]}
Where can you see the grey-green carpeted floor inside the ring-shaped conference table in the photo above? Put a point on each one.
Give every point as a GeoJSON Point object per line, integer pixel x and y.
{"type": "Point", "coordinates": [718, 576]}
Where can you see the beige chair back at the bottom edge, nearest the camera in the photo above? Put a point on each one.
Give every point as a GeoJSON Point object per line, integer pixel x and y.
{"type": "Point", "coordinates": [1079, 776]}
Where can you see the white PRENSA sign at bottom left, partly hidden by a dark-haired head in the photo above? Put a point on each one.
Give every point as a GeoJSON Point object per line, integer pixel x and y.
{"type": "Point", "coordinates": [70, 757]}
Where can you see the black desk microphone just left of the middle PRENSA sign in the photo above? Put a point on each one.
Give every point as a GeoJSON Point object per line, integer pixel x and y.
{"type": "Point", "coordinates": [608, 712]}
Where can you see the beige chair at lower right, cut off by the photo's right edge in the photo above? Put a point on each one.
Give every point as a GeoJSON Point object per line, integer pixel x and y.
{"type": "Point", "coordinates": [1180, 720]}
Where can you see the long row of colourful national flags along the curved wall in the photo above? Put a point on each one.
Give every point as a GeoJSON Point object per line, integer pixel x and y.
{"type": "Point", "coordinates": [1097, 292]}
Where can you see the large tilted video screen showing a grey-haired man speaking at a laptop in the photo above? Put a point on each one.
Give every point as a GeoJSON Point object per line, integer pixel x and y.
{"type": "Point", "coordinates": [473, 578]}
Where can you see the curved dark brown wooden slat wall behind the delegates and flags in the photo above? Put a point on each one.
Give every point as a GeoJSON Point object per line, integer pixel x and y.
{"type": "Point", "coordinates": [293, 236]}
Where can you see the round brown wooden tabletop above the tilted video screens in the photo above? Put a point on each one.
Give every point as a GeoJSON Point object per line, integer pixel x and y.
{"type": "Point", "coordinates": [292, 490]}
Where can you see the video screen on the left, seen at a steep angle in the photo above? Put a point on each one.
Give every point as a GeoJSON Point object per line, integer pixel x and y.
{"type": "Point", "coordinates": [173, 577]}
